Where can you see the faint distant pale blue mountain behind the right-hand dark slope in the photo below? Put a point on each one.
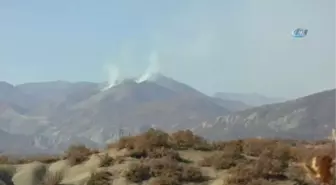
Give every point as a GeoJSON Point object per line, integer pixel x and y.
{"type": "Point", "coordinates": [252, 99]}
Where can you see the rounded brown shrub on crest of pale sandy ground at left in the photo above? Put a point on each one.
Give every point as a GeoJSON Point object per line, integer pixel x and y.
{"type": "Point", "coordinates": [77, 154]}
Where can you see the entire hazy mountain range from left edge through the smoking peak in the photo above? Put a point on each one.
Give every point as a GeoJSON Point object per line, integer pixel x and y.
{"type": "Point", "coordinates": [56, 114]}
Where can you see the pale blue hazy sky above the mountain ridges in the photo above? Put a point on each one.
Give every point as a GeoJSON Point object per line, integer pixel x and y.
{"type": "Point", "coordinates": [212, 45]}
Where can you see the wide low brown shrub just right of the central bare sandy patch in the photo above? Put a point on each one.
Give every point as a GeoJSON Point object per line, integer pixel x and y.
{"type": "Point", "coordinates": [222, 160]}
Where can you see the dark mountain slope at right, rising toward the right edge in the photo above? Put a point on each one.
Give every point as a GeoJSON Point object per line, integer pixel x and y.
{"type": "Point", "coordinates": [309, 117]}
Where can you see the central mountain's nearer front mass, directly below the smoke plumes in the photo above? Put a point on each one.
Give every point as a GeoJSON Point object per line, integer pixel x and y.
{"type": "Point", "coordinates": [132, 105]}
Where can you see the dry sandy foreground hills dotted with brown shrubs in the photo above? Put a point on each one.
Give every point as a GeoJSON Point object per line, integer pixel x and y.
{"type": "Point", "coordinates": [158, 158]}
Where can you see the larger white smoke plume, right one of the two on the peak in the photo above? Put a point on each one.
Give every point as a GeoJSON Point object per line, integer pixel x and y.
{"type": "Point", "coordinates": [152, 69]}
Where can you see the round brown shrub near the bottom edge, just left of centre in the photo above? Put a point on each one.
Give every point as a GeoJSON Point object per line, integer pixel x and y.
{"type": "Point", "coordinates": [137, 172]}
